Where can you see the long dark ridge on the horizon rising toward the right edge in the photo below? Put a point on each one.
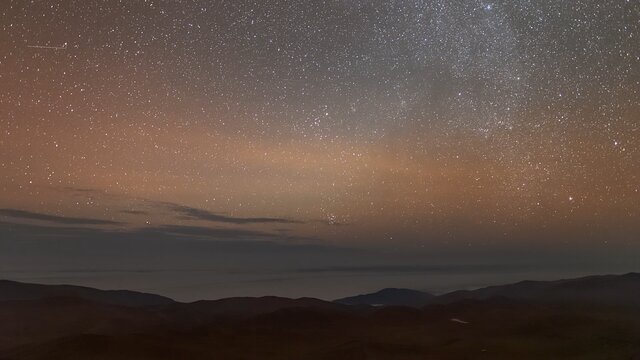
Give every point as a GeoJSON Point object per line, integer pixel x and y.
{"type": "Point", "coordinates": [614, 290]}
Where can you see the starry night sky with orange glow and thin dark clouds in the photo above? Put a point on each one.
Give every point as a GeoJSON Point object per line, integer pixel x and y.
{"type": "Point", "coordinates": [317, 135]}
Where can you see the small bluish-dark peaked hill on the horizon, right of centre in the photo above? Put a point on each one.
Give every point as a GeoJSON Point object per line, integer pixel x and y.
{"type": "Point", "coordinates": [390, 297]}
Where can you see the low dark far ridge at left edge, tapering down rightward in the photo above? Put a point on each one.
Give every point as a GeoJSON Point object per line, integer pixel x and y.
{"type": "Point", "coordinates": [16, 291]}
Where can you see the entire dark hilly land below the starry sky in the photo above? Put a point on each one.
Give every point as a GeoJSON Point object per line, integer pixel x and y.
{"type": "Point", "coordinates": [44, 322]}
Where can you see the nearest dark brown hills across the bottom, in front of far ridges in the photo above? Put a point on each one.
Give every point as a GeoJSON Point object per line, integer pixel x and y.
{"type": "Point", "coordinates": [494, 330]}
